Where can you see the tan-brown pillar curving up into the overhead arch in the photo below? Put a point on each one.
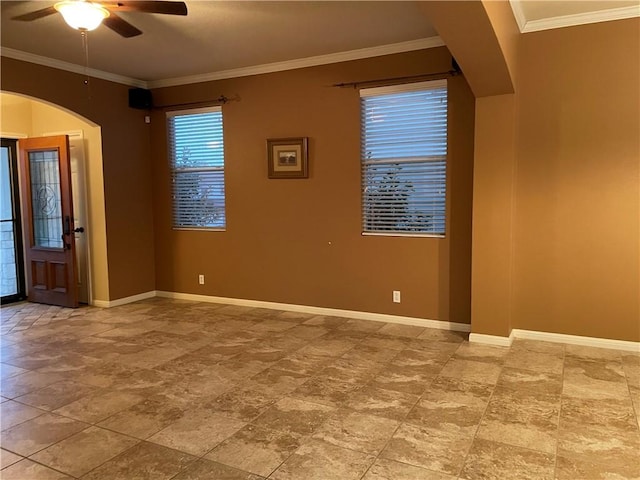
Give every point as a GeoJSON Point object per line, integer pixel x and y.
{"type": "Point", "coordinates": [484, 38]}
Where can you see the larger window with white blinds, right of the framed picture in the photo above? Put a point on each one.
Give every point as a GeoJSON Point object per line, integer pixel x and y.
{"type": "Point", "coordinates": [404, 157]}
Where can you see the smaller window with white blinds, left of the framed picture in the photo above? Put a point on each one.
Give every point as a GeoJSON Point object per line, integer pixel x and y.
{"type": "Point", "coordinates": [196, 151]}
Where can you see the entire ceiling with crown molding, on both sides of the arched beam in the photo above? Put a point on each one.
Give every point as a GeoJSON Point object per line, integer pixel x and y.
{"type": "Point", "coordinates": [227, 38]}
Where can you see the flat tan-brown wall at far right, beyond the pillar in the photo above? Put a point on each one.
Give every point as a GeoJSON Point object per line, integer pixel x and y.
{"type": "Point", "coordinates": [577, 265]}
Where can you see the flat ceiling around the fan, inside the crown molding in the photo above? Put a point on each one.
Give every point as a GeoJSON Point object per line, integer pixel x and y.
{"type": "Point", "coordinates": [217, 36]}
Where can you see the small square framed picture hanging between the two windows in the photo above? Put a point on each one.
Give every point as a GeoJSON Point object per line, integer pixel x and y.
{"type": "Point", "coordinates": [288, 157]}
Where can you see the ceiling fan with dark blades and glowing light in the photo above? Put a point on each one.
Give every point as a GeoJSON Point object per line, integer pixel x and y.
{"type": "Point", "coordinates": [86, 15]}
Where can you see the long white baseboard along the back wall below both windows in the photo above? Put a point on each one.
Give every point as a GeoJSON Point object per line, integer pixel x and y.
{"type": "Point", "coordinates": [376, 317]}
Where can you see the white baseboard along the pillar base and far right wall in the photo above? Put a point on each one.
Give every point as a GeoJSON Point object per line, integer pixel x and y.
{"type": "Point", "coordinates": [556, 338]}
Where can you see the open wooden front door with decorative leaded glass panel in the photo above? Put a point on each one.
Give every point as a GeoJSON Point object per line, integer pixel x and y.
{"type": "Point", "coordinates": [48, 221]}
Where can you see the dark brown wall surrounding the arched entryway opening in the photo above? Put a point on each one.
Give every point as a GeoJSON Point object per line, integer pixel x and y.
{"type": "Point", "coordinates": [126, 164]}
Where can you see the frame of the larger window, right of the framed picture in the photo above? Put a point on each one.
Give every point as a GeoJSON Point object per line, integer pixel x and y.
{"type": "Point", "coordinates": [390, 90]}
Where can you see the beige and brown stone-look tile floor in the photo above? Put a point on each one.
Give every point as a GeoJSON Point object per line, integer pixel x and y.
{"type": "Point", "coordinates": [164, 389]}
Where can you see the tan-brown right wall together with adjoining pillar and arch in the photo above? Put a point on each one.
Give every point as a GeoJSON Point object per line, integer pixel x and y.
{"type": "Point", "coordinates": [556, 236]}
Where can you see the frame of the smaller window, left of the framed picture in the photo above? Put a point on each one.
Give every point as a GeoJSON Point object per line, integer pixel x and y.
{"type": "Point", "coordinates": [174, 171]}
